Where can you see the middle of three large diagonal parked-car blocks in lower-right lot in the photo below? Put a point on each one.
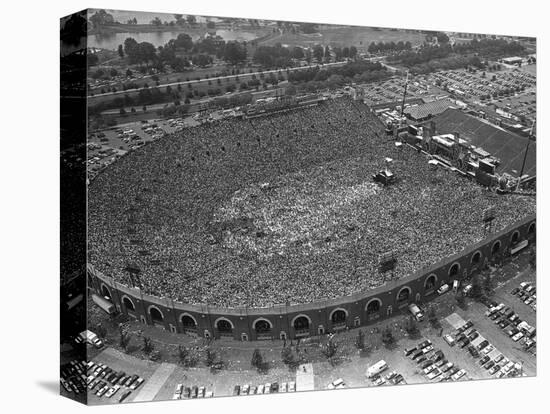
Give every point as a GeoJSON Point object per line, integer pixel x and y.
{"type": "Point", "coordinates": [466, 336]}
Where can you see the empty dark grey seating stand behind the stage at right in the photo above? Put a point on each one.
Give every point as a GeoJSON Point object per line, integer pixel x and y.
{"type": "Point", "coordinates": [508, 147]}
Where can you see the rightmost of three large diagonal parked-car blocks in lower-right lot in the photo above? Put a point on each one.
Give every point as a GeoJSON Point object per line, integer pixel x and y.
{"type": "Point", "coordinates": [511, 324]}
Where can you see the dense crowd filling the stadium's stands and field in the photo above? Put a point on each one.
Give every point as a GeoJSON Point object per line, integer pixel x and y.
{"type": "Point", "coordinates": [280, 209]}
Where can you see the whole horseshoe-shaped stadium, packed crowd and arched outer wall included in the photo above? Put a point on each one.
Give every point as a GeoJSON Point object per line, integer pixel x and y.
{"type": "Point", "coordinates": [273, 227]}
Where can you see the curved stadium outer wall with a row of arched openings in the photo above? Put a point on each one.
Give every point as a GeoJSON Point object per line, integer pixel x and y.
{"type": "Point", "coordinates": [282, 321]}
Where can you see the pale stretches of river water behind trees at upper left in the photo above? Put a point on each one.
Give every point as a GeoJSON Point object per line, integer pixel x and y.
{"type": "Point", "coordinates": [111, 41]}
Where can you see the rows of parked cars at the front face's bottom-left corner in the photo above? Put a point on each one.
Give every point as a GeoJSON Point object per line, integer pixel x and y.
{"type": "Point", "coordinates": [105, 381]}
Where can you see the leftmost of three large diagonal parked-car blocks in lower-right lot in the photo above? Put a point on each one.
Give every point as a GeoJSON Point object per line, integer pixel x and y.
{"type": "Point", "coordinates": [433, 363]}
